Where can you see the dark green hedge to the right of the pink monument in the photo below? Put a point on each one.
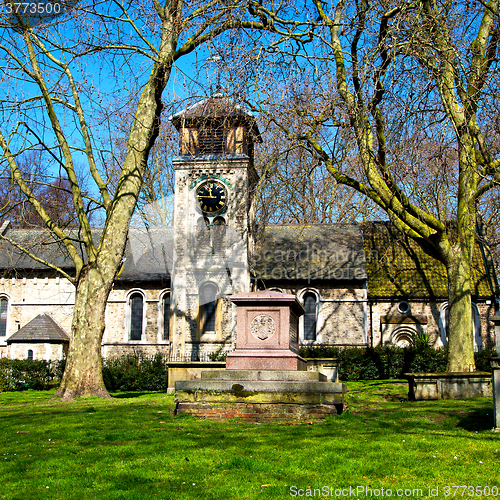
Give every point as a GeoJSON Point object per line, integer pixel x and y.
{"type": "Point", "coordinates": [388, 362]}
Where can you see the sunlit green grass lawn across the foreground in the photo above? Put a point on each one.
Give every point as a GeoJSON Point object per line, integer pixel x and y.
{"type": "Point", "coordinates": [131, 447]}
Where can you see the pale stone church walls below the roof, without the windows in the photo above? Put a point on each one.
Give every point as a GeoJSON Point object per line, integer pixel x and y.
{"type": "Point", "coordinates": [345, 317]}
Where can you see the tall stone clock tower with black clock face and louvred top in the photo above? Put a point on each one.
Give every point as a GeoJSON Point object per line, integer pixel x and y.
{"type": "Point", "coordinates": [214, 179]}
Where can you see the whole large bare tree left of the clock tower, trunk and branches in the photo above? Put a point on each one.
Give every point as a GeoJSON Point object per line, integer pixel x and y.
{"type": "Point", "coordinates": [62, 83]}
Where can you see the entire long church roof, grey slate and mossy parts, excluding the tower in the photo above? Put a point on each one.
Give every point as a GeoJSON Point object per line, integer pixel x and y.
{"type": "Point", "coordinates": [393, 265]}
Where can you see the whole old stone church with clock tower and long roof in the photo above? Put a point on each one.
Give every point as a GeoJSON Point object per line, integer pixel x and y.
{"type": "Point", "coordinates": [361, 284]}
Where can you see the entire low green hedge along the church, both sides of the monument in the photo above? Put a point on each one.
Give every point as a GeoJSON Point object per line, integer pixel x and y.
{"type": "Point", "coordinates": [139, 373]}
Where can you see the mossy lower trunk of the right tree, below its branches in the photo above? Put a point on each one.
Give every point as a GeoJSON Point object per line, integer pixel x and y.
{"type": "Point", "coordinates": [460, 330]}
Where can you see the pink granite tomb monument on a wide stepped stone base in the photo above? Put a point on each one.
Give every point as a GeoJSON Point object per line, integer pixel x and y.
{"type": "Point", "coordinates": [265, 378]}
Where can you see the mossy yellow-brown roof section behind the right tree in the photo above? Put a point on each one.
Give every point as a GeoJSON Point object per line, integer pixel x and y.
{"type": "Point", "coordinates": [398, 267]}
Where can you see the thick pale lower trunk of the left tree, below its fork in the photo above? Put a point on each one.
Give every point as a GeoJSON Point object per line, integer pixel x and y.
{"type": "Point", "coordinates": [83, 374]}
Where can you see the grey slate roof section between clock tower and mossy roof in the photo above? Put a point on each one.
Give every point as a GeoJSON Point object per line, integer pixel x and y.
{"type": "Point", "coordinates": [304, 252]}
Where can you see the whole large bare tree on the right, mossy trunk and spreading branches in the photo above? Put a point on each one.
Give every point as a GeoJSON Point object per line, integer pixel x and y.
{"type": "Point", "coordinates": [412, 86]}
